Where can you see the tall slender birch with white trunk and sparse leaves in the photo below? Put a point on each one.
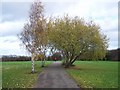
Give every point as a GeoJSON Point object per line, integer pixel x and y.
{"type": "Point", "coordinates": [32, 31]}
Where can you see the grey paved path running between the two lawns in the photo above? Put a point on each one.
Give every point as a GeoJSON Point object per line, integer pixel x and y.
{"type": "Point", "coordinates": [54, 76]}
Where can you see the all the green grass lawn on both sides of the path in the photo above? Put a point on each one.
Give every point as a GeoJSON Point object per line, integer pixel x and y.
{"type": "Point", "coordinates": [87, 74]}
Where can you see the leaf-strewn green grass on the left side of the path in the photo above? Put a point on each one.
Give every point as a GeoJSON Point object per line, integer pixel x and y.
{"type": "Point", "coordinates": [18, 74]}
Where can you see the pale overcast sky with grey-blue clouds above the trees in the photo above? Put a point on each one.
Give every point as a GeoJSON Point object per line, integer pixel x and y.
{"type": "Point", "coordinates": [14, 14]}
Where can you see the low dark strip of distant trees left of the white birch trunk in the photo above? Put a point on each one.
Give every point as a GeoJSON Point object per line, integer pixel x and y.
{"type": "Point", "coordinates": [15, 58]}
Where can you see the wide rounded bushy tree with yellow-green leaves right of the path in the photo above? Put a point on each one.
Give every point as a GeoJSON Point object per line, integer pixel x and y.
{"type": "Point", "coordinates": [75, 37]}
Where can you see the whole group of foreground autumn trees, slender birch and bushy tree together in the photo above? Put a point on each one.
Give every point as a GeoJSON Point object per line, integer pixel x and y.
{"type": "Point", "coordinates": [72, 37]}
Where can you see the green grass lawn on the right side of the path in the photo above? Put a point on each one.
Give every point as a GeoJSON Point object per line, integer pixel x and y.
{"type": "Point", "coordinates": [95, 74]}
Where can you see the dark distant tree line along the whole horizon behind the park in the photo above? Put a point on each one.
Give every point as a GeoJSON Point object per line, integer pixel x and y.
{"type": "Point", "coordinates": [112, 55]}
